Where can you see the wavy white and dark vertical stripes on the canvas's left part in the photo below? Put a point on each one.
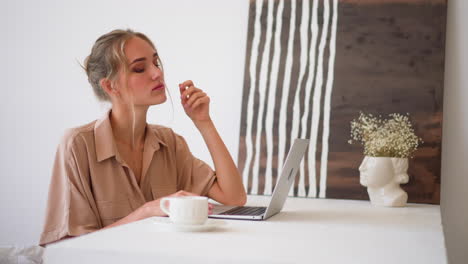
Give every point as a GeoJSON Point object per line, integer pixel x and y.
{"type": "Point", "coordinates": [287, 90]}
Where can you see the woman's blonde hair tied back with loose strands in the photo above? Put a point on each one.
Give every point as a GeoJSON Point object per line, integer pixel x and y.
{"type": "Point", "coordinates": [107, 58]}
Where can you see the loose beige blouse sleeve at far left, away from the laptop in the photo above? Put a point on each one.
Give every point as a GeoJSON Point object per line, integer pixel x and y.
{"type": "Point", "coordinates": [69, 208]}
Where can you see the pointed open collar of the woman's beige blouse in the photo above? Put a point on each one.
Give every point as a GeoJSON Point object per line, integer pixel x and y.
{"type": "Point", "coordinates": [105, 143]}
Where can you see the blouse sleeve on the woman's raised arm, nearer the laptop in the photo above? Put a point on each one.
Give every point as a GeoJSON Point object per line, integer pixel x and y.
{"type": "Point", "coordinates": [193, 175]}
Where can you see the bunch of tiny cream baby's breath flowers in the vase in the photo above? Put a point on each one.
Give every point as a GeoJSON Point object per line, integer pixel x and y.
{"type": "Point", "coordinates": [393, 137]}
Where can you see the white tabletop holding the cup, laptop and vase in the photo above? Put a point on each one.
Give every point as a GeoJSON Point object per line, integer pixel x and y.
{"type": "Point", "coordinates": [306, 231]}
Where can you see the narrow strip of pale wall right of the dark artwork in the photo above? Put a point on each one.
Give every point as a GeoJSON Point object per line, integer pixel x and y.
{"type": "Point", "coordinates": [454, 200]}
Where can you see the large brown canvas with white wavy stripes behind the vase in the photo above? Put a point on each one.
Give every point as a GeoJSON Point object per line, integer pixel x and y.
{"type": "Point", "coordinates": [312, 65]}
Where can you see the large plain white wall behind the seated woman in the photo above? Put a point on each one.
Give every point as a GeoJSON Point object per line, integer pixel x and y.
{"type": "Point", "coordinates": [44, 91]}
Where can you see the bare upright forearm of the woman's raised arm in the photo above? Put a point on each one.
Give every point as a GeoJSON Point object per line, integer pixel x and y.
{"type": "Point", "coordinates": [228, 177]}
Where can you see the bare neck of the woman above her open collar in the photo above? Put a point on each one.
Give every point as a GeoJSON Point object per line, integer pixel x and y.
{"type": "Point", "coordinates": [128, 127]}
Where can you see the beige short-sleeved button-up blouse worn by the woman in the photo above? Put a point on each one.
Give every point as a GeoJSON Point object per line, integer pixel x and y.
{"type": "Point", "coordinates": [92, 187]}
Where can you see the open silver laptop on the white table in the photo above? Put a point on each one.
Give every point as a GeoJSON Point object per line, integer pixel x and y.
{"type": "Point", "coordinates": [288, 173]}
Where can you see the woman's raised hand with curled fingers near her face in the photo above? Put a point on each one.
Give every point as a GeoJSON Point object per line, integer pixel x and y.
{"type": "Point", "coordinates": [196, 103]}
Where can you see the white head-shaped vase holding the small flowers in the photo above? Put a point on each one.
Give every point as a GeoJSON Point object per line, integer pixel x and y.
{"type": "Point", "coordinates": [382, 176]}
